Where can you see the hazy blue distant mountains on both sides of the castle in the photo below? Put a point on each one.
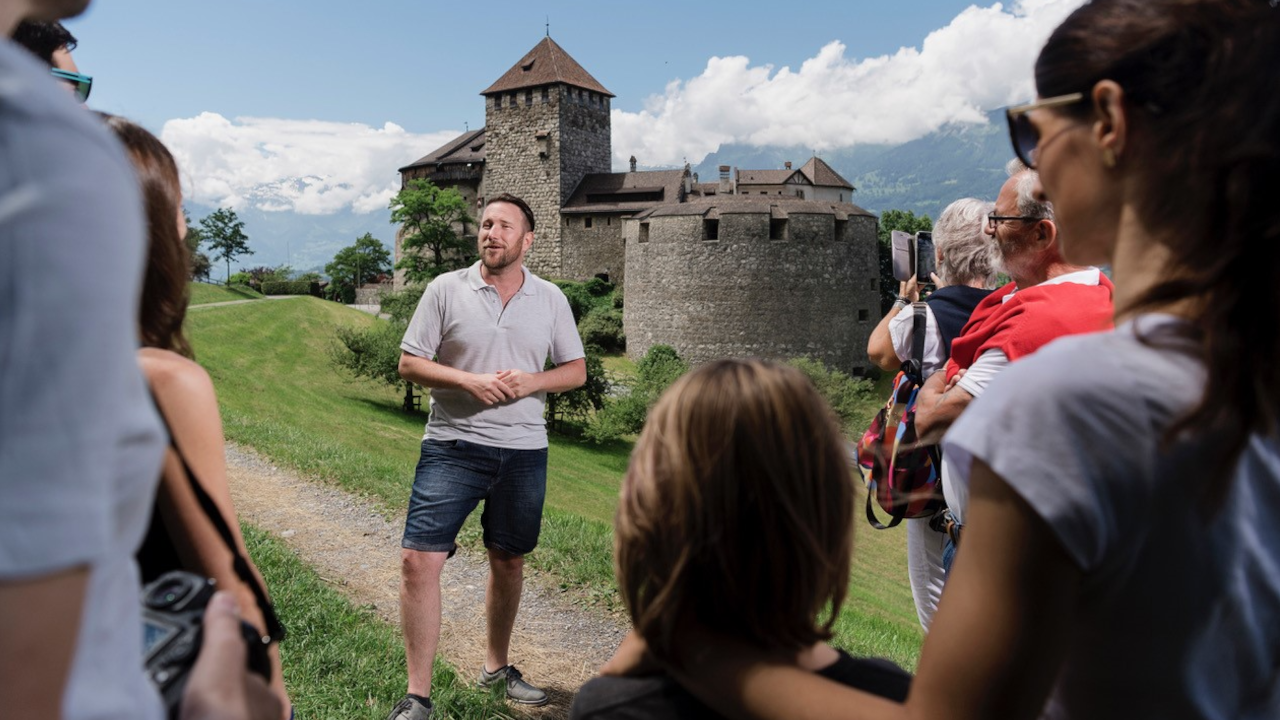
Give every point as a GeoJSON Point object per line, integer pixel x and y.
{"type": "Point", "coordinates": [924, 176]}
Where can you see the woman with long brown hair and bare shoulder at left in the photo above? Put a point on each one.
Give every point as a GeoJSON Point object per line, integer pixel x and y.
{"type": "Point", "coordinates": [181, 535]}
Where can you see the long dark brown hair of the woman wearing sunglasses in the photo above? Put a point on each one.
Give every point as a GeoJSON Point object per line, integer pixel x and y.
{"type": "Point", "coordinates": [1205, 143]}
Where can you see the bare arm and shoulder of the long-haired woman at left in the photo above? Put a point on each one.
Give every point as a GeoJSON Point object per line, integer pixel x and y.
{"type": "Point", "coordinates": [186, 395]}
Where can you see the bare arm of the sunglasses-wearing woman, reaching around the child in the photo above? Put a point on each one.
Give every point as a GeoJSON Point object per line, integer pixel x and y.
{"type": "Point", "coordinates": [996, 645]}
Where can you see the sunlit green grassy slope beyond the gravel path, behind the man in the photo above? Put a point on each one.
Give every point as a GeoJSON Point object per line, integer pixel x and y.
{"type": "Point", "coordinates": [281, 397]}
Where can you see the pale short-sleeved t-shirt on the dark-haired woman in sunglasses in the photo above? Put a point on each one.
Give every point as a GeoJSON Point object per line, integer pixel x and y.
{"type": "Point", "coordinates": [1180, 614]}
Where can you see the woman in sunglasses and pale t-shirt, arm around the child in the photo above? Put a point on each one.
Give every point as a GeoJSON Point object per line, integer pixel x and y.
{"type": "Point", "coordinates": [1123, 550]}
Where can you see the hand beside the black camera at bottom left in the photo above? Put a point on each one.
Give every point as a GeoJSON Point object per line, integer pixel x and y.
{"type": "Point", "coordinates": [221, 686]}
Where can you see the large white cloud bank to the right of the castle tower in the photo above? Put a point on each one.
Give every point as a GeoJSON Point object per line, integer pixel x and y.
{"type": "Point", "coordinates": [981, 61]}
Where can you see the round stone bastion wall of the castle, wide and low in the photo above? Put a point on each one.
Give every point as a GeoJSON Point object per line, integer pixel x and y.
{"type": "Point", "coordinates": [744, 295]}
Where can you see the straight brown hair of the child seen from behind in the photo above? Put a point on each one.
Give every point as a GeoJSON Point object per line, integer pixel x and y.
{"type": "Point", "coordinates": [738, 511]}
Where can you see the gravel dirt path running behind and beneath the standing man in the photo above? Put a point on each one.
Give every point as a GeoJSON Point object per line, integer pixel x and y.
{"type": "Point", "coordinates": [356, 550]}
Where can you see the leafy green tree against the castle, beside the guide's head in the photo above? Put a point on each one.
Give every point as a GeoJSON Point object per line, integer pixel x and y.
{"type": "Point", "coordinates": [432, 244]}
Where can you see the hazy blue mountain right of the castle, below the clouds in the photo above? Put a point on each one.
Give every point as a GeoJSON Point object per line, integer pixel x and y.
{"type": "Point", "coordinates": [924, 176]}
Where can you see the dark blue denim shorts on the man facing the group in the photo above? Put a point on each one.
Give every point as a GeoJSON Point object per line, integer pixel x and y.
{"type": "Point", "coordinates": [455, 476]}
